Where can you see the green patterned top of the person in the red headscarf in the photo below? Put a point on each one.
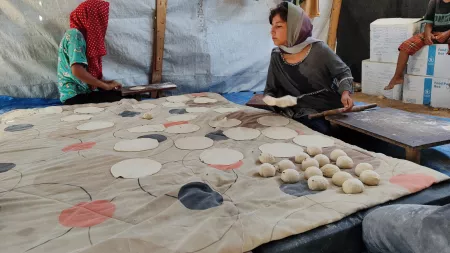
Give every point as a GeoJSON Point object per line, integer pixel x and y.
{"type": "Point", "coordinates": [71, 50]}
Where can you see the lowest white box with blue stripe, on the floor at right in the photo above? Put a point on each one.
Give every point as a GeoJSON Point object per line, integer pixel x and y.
{"type": "Point", "coordinates": [426, 90]}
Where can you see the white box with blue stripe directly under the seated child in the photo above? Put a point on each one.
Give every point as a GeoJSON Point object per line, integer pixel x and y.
{"type": "Point", "coordinates": [430, 61]}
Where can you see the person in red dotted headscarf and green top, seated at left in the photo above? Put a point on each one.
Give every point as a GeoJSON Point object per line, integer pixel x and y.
{"type": "Point", "coordinates": [80, 57]}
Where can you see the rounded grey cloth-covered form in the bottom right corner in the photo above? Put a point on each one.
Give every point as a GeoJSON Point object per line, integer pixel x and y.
{"type": "Point", "coordinates": [407, 229]}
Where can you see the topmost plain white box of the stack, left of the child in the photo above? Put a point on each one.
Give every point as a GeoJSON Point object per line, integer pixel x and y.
{"type": "Point", "coordinates": [387, 34]}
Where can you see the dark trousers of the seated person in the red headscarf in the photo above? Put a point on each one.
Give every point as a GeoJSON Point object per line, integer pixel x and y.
{"type": "Point", "coordinates": [95, 97]}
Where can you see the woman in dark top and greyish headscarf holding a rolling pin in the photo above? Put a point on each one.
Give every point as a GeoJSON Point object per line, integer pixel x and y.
{"type": "Point", "coordinates": [305, 76]}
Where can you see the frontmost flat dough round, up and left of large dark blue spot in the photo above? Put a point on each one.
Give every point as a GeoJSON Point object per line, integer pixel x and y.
{"type": "Point", "coordinates": [135, 168]}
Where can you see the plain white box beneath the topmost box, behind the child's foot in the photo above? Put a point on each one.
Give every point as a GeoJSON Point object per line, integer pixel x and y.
{"type": "Point", "coordinates": [376, 76]}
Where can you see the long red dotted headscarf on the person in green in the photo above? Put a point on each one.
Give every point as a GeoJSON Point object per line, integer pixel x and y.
{"type": "Point", "coordinates": [91, 19]}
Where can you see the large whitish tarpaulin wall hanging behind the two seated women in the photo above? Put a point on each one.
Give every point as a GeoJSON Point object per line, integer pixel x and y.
{"type": "Point", "coordinates": [213, 45]}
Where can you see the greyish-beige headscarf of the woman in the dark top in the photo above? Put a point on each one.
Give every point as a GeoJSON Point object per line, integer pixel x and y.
{"type": "Point", "coordinates": [299, 30]}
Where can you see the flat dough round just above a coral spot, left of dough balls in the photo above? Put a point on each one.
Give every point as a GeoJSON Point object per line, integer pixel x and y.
{"type": "Point", "coordinates": [221, 156]}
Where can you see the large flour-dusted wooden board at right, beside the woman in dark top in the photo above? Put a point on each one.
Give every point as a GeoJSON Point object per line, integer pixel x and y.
{"type": "Point", "coordinates": [405, 129]}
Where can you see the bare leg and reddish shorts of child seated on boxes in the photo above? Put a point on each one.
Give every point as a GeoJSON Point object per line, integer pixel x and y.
{"type": "Point", "coordinates": [407, 48]}
